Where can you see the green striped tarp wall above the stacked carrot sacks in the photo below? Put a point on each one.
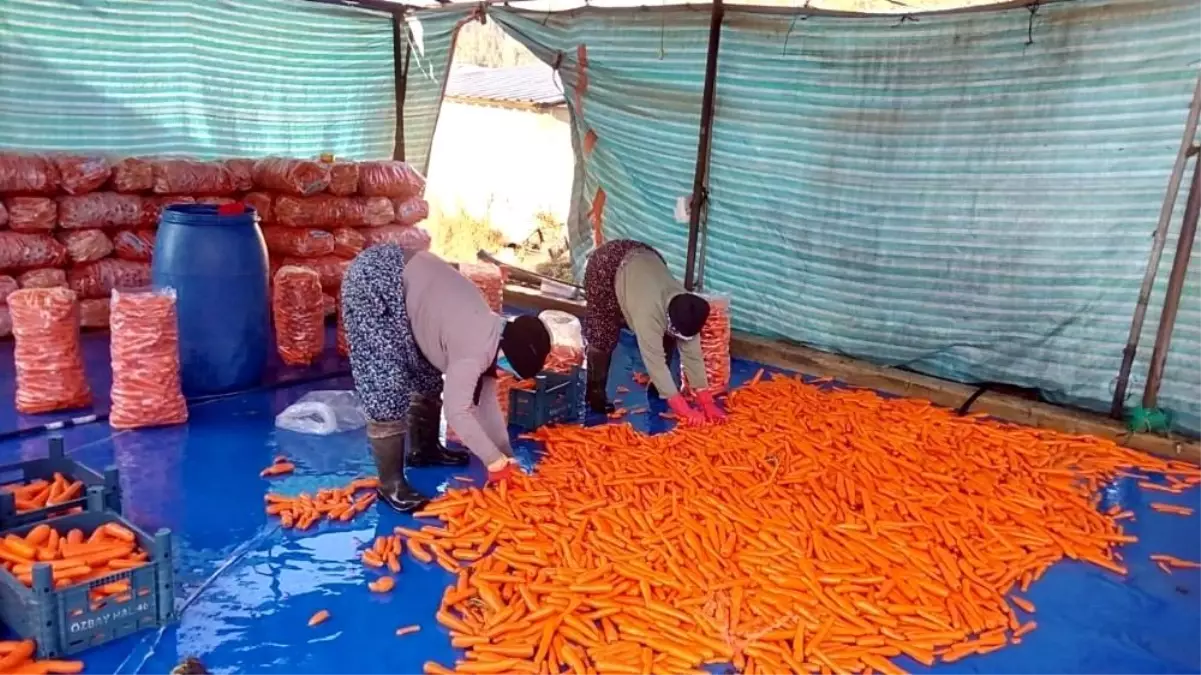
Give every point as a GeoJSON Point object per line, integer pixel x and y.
{"type": "Point", "coordinates": [199, 77]}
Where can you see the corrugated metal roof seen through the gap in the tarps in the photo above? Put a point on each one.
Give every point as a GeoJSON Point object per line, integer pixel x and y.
{"type": "Point", "coordinates": [536, 86]}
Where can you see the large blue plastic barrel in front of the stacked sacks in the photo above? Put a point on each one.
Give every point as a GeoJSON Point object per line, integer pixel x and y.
{"type": "Point", "coordinates": [218, 266]}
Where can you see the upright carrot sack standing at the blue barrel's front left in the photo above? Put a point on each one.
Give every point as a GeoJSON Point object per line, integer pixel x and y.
{"type": "Point", "coordinates": [146, 361]}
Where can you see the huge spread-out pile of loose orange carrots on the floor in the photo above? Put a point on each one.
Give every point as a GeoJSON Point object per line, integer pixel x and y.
{"type": "Point", "coordinates": [814, 533]}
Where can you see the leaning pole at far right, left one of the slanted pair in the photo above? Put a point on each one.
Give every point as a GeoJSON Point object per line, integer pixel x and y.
{"type": "Point", "coordinates": [1157, 253]}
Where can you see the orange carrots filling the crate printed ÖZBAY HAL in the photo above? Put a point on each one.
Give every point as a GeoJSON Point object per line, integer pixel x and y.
{"type": "Point", "coordinates": [75, 558]}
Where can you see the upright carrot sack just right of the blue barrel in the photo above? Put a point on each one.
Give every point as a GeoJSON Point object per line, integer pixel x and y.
{"type": "Point", "coordinates": [300, 315]}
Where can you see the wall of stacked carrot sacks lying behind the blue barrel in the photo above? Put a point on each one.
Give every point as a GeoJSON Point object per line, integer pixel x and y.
{"type": "Point", "coordinates": [88, 223]}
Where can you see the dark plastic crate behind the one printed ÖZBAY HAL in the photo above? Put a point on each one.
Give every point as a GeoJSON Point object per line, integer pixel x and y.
{"type": "Point", "coordinates": [45, 469]}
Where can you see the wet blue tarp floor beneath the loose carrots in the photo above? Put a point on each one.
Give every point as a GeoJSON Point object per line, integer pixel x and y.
{"type": "Point", "coordinates": [247, 589]}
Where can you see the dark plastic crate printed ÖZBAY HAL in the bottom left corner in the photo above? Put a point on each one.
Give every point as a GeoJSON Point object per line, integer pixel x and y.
{"type": "Point", "coordinates": [69, 620]}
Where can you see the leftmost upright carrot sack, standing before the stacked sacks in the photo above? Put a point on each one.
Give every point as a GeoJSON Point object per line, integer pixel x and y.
{"type": "Point", "coordinates": [46, 353]}
